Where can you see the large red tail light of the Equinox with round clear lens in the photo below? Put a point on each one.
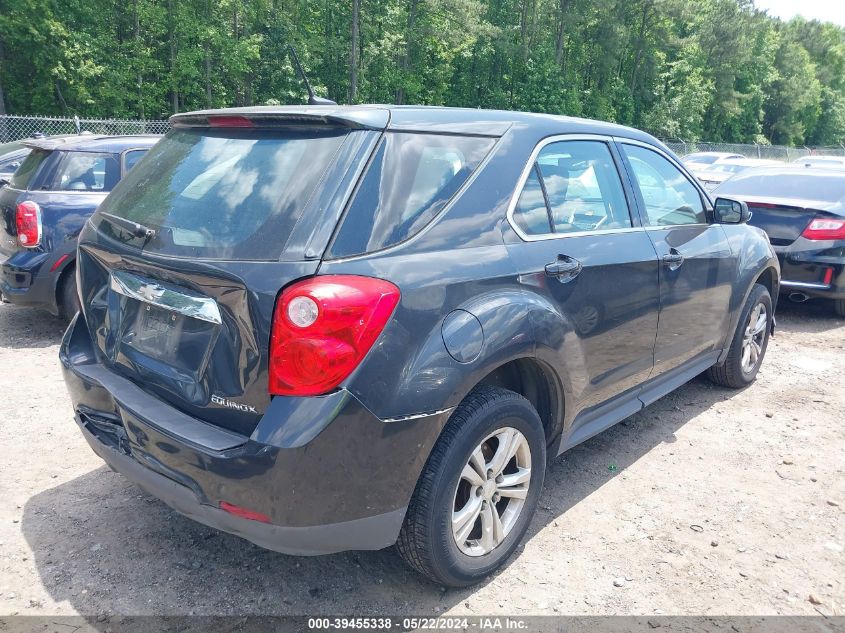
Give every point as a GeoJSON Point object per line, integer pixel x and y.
{"type": "Point", "coordinates": [322, 329]}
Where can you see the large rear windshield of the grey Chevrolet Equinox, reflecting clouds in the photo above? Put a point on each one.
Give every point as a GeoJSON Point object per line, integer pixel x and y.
{"type": "Point", "coordinates": [222, 194]}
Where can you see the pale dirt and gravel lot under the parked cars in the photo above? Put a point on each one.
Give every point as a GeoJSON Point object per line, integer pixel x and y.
{"type": "Point", "coordinates": [708, 502]}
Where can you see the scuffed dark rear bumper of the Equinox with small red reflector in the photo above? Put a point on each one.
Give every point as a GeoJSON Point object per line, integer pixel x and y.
{"type": "Point", "coordinates": [329, 474]}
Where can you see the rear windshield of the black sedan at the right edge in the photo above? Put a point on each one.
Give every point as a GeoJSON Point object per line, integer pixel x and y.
{"type": "Point", "coordinates": [818, 186]}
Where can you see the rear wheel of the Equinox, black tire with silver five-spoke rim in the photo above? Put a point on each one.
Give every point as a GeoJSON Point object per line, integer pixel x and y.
{"type": "Point", "coordinates": [478, 491]}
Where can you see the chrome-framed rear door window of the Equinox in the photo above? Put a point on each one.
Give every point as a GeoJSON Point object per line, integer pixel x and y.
{"type": "Point", "coordinates": [573, 187]}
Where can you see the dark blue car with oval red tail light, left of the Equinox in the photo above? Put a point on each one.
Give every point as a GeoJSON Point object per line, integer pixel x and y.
{"type": "Point", "coordinates": [44, 207]}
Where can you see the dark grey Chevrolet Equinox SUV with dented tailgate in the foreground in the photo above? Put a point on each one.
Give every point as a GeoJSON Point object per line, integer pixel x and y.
{"type": "Point", "coordinates": [335, 328]}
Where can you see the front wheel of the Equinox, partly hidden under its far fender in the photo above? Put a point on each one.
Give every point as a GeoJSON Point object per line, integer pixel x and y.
{"type": "Point", "coordinates": [748, 347]}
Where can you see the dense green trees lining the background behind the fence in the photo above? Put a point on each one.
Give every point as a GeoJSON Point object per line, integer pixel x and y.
{"type": "Point", "coordinates": [718, 70]}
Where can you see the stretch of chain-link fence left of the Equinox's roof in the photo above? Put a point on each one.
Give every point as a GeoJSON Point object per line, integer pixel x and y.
{"type": "Point", "coordinates": [13, 128]}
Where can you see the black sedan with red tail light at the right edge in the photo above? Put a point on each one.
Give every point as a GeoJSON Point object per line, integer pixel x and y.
{"type": "Point", "coordinates": [803, 212]}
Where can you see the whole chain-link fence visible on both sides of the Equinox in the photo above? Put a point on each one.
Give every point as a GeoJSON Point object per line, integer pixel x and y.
{"type": "Point", "coordinates": [13, 128]}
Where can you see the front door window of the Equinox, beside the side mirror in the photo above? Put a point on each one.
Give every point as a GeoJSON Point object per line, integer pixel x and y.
{"type": "Point", "coordinates": [670, 198]}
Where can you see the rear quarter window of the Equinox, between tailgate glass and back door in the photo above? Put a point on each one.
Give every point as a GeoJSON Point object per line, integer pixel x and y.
{"type": "Point", "coordinates": [409, 181]}
